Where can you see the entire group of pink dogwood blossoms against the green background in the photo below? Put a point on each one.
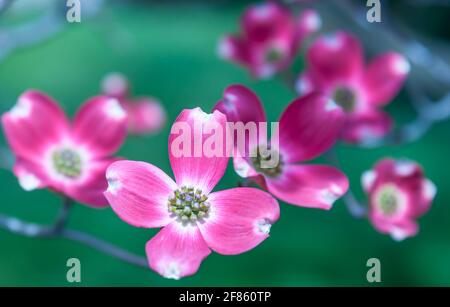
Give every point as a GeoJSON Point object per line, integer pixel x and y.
{"type": "Point", "coordinates": [340, 99]}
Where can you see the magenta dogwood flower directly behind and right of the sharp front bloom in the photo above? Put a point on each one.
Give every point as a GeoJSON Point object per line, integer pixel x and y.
{"type": "Point", "coordinates": [308, 127]}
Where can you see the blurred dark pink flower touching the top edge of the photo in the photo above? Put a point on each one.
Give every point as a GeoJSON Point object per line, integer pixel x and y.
{"type": "Point", "coordinates": [270, 38]}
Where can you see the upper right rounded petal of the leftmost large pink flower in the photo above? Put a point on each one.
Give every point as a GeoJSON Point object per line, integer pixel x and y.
{"type": "Point", "coordinates": [101, 124]}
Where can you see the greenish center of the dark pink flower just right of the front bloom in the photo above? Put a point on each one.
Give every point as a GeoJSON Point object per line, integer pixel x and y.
{"type": "Point", "coordinates": [268, 162]}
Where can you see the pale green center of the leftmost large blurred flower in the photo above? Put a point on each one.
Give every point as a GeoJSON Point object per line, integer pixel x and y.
{"type": "Point", "coordinates": [67, 162]}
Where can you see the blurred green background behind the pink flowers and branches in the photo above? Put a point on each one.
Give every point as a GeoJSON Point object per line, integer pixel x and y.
{"type": "Point", "coordinates": [167, 49]}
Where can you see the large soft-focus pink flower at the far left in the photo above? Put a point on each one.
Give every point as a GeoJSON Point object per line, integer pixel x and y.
{"type": "Point", "coordinates": [68, 158]}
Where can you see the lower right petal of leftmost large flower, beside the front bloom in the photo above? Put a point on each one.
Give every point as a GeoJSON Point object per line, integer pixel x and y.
{"type": "Point", "coordinates": [90, 191]}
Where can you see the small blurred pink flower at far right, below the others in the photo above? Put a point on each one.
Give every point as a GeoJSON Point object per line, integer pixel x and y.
{"type": "Point", "coordinates": [398, 195]}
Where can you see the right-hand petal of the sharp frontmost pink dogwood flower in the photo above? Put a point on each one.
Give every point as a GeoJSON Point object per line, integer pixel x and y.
{"type": "Point", "coordinates": [239, 220]}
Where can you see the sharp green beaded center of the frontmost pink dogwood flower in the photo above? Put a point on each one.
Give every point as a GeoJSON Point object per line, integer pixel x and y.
{"type": "Point", "coordinates": [189, 204]}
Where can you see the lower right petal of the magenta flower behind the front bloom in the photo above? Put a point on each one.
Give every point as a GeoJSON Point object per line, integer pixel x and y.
{"type": "Point", "coordinates": [312, 186]}
